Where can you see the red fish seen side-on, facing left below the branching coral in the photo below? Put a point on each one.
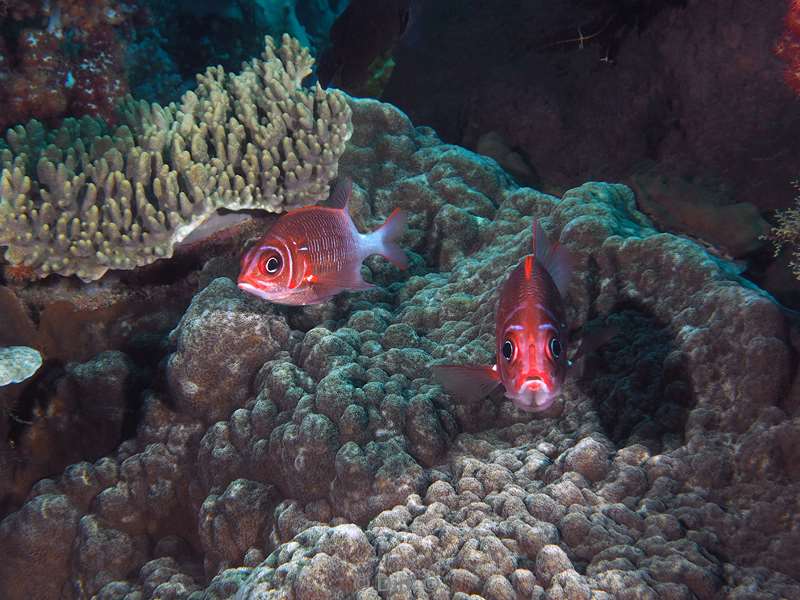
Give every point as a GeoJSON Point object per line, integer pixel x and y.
{"type": "Point", "coordinates": [313, 253]}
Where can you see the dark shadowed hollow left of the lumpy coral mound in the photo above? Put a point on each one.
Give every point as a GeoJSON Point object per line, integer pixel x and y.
{"type": "Point", "coordinates": [54, 420]}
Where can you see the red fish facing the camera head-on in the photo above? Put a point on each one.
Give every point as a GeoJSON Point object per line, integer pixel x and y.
{"type": "Point", "coordinates": [531, 334]}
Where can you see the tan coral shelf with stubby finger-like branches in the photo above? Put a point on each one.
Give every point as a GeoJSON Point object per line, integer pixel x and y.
{"type": "Point", "coordinates": [81, 199]}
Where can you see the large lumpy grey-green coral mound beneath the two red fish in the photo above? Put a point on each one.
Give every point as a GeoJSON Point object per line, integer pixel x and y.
{"type": "Point", "coordinates": [307, 453]}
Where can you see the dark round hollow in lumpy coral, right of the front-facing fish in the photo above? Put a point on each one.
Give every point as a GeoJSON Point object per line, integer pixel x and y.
{"type": "Point", "coordinates": [639, 383]}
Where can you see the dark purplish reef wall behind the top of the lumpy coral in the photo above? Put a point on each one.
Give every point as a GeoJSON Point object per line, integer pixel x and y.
{"type": "Point", "coordinates": [693, 85]}
